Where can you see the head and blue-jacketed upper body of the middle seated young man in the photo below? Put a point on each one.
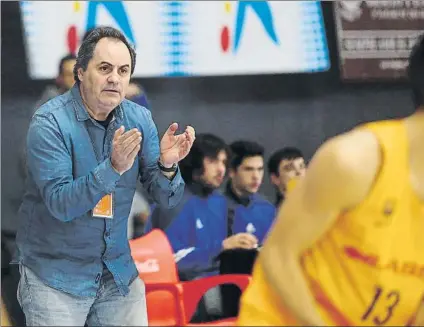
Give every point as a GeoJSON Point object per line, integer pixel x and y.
{"type": "Point", "coordinates": [247, 211]}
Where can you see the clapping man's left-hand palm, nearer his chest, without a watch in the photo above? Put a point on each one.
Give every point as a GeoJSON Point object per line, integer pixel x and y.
{"type": "Point", "coordinates": [125, 147]}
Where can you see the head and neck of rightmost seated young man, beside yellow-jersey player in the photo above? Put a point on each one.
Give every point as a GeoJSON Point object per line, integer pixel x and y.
{"type": "Point", "coordinates": [284, 165]}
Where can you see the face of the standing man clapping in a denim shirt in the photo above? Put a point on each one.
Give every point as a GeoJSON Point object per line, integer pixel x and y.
{"type": "Point", "coordinates": [106, 79]}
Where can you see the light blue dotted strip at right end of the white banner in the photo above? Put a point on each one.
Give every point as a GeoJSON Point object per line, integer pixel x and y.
{"type": "Point", "coordinates": [314, 39]}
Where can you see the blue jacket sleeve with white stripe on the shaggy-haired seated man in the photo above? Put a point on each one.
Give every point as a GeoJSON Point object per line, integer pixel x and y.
{"type": "Point", "coordinates": [189, 254]}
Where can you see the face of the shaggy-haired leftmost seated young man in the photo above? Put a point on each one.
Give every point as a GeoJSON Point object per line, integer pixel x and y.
{"type": "Point", "coordinates": [214, 169]}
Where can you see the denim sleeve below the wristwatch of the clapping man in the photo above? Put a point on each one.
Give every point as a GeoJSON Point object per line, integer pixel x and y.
{"type": "Point", "coordinates": [167, 193]}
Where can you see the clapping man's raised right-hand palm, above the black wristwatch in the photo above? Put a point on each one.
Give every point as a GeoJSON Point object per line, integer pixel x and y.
{"type": "Point", "coordinates": [174, 148]}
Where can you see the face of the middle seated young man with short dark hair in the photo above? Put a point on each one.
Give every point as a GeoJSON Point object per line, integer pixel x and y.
{"type": "Point", "coordinates": [249, 175]}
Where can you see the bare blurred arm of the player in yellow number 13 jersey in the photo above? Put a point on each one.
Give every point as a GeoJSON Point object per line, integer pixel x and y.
{"type": "Point", "coordinates": [339, 177]}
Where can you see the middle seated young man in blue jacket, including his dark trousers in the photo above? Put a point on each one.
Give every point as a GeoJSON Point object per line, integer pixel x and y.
{"type": "Point", "coordinates": [247, 212]}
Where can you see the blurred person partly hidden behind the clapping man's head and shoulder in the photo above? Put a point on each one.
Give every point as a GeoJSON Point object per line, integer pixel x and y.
{"type": "Point", "coordinates": [64, 80]}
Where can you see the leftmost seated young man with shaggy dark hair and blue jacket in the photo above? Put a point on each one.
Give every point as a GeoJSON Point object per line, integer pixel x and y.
{"type": "Point", "coordinates": [199, 232]}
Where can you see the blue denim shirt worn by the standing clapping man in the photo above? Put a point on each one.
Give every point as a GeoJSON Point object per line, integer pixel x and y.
{"type": "Point", "coordinates": [69, 171]}
